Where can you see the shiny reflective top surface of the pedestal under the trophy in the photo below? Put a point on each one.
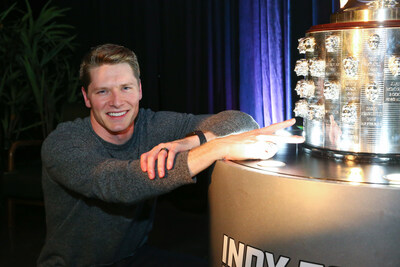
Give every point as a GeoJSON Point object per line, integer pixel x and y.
{"type": "Point", "coordinates": [293, 160]}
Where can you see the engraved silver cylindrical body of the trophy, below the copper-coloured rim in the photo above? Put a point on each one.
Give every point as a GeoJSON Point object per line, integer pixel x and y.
{"type": "Point", "coordinates": [362, 104]}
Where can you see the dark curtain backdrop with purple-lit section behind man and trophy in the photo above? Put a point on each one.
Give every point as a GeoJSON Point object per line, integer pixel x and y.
{"type": "Point", "coordinates": [204, 56]}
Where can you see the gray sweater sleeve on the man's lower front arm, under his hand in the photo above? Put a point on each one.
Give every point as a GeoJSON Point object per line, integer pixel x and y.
{"type": "Point", "coordinates": [96, 175]}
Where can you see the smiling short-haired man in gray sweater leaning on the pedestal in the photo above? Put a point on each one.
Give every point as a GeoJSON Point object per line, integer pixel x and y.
{"type": "Point", "coordinates": [101, 174]}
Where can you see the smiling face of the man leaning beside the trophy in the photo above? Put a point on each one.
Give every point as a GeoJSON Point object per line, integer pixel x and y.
{"type": "Point", "coordinates": [113, 97]}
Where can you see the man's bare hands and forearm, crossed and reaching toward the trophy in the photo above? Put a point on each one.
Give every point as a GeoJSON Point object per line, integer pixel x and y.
{"type": "Point", "coordinates": [254, 144]}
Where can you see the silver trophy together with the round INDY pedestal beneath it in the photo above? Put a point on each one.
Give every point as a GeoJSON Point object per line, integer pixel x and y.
{"type": "Point", "coordinates": [298, 210]}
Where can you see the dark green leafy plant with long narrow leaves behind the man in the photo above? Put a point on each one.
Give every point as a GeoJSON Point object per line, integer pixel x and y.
{"type": "Point", "coordinates": [36, 77]}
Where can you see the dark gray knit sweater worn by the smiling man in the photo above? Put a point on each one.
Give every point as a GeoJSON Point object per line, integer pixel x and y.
{"type": "Point", "coordinates": [99, 204]}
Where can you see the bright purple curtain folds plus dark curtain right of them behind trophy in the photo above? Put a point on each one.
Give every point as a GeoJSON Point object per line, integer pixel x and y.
{"type": "Point", "coordinates": [268, 33]}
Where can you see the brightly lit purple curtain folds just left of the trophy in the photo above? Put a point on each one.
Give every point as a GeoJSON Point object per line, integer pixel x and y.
{"type": "Point", "coordinates": [261, 60]}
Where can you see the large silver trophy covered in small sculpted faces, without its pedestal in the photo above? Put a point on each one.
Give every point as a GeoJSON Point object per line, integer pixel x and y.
{"type": "Point", "coordinates": [350, 82]}
